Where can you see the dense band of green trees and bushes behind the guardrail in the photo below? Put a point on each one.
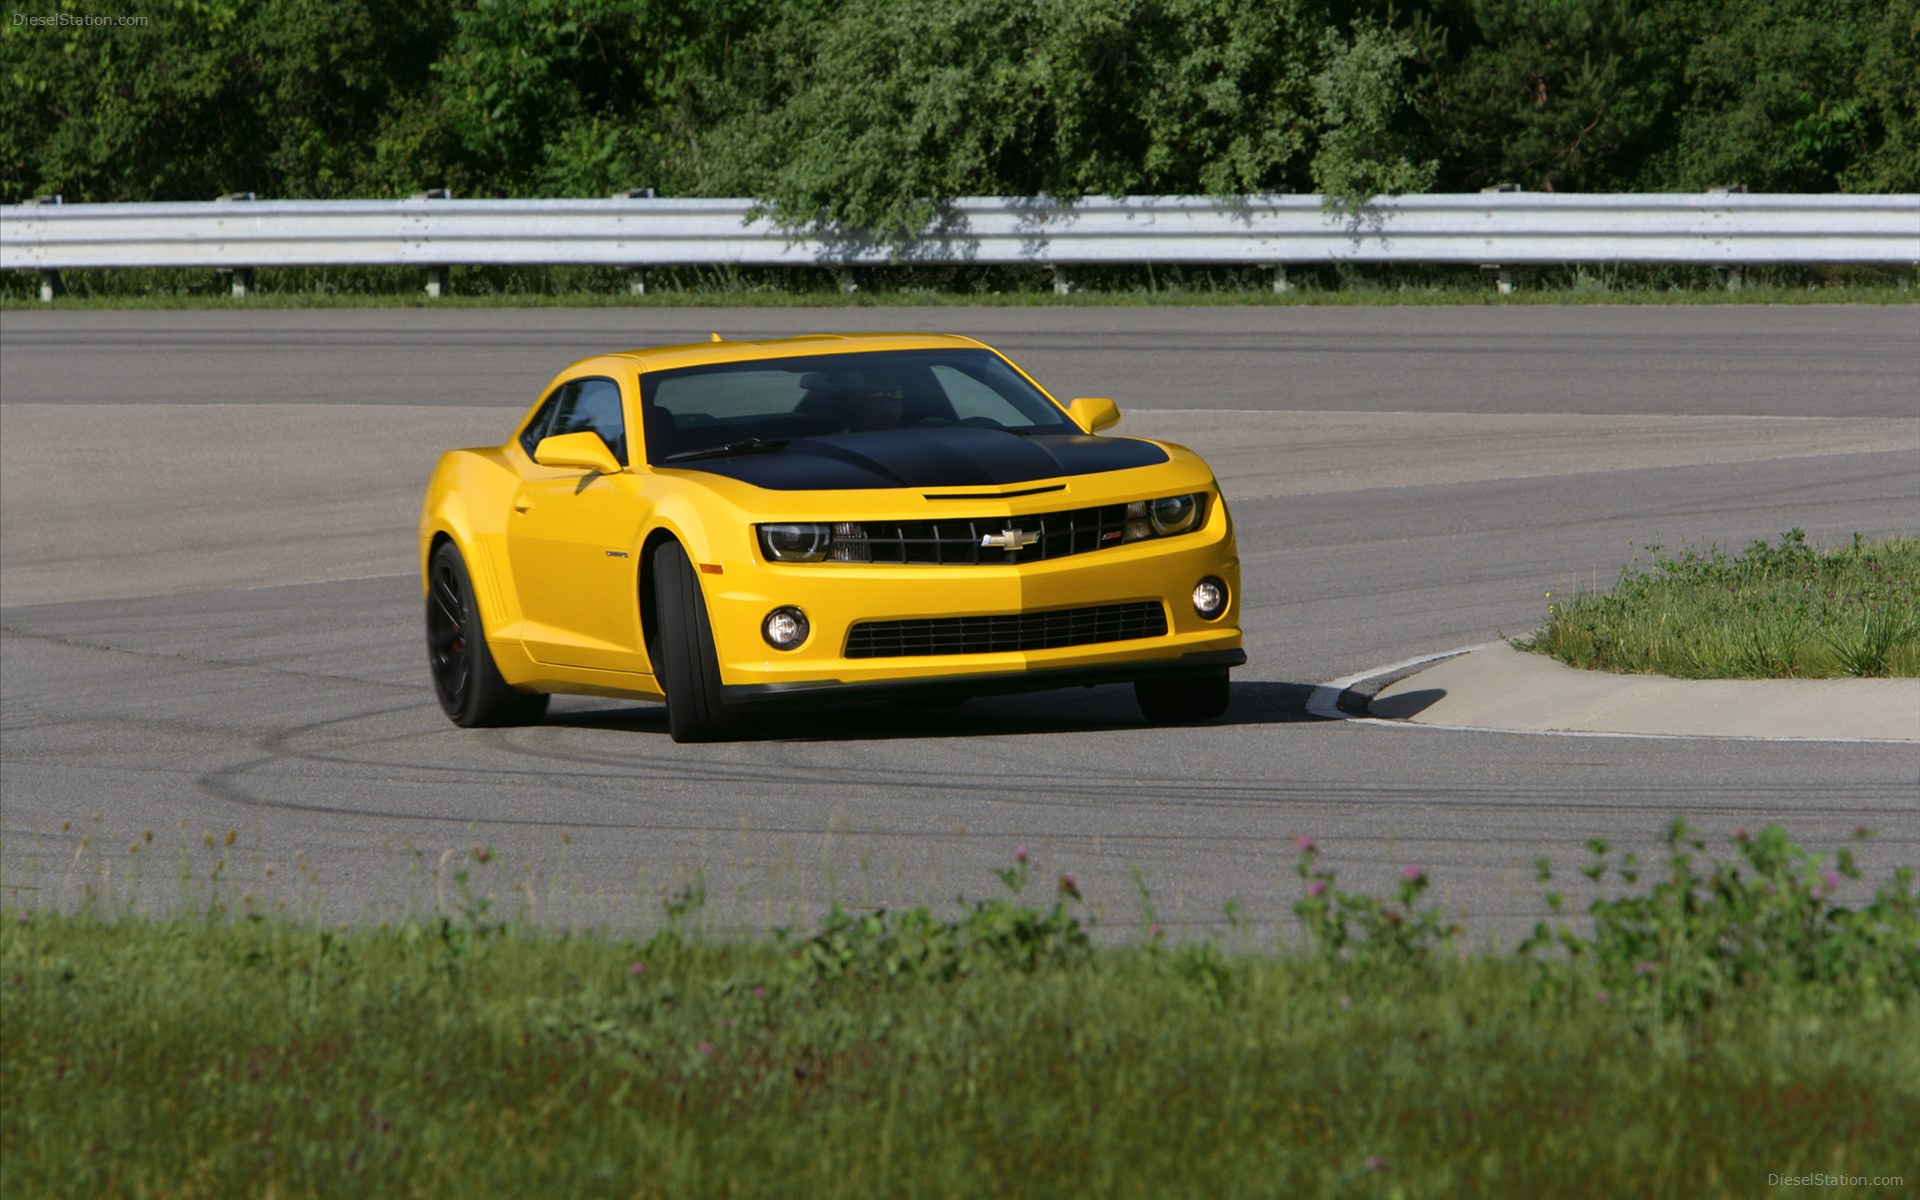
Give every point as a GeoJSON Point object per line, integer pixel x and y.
{"type": "Point", "coordinates": [867, 114]}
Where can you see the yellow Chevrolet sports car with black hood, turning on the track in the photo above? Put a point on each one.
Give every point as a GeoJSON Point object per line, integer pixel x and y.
{"type": "Point", "coordinates": [736, 525]}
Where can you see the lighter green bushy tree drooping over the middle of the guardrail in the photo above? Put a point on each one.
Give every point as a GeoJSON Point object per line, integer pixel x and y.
{"type": "Point", "coordinates": [873, 116]}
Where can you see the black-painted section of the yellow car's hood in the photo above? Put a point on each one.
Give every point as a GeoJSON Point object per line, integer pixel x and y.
{"type": "Point", "coordinates": [934, 458]}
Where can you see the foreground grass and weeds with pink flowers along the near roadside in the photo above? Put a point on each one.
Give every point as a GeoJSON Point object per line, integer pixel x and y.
{"type": "Point", "coordinates": [1704, 1024]}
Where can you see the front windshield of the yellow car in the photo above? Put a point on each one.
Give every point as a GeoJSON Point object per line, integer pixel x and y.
{"type": "Point", "coordinates": [757, 408]}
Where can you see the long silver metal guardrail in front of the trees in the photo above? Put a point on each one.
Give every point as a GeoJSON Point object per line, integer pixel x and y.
{"type": "Point", "coordinates": [1499, 229]}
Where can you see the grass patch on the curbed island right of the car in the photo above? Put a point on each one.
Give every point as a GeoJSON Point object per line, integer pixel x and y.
{"type": "Point", "coordinates": [1771, 613]}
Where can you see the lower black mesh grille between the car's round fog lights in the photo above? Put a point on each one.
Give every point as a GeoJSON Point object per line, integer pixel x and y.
{"type": "Point", "coordinates": [1007, 633]}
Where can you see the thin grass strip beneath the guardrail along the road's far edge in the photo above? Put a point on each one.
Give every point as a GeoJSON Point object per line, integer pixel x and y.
{"type": "Point", "coordinates": [1093, 287]}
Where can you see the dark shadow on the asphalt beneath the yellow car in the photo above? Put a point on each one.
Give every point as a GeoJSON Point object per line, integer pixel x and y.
{"type": "Point", "coordinates": [1092, 711]}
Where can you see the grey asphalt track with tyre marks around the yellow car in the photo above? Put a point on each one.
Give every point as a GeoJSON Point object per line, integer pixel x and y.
{"type": "Point", "coordinates": [208, 615]}
